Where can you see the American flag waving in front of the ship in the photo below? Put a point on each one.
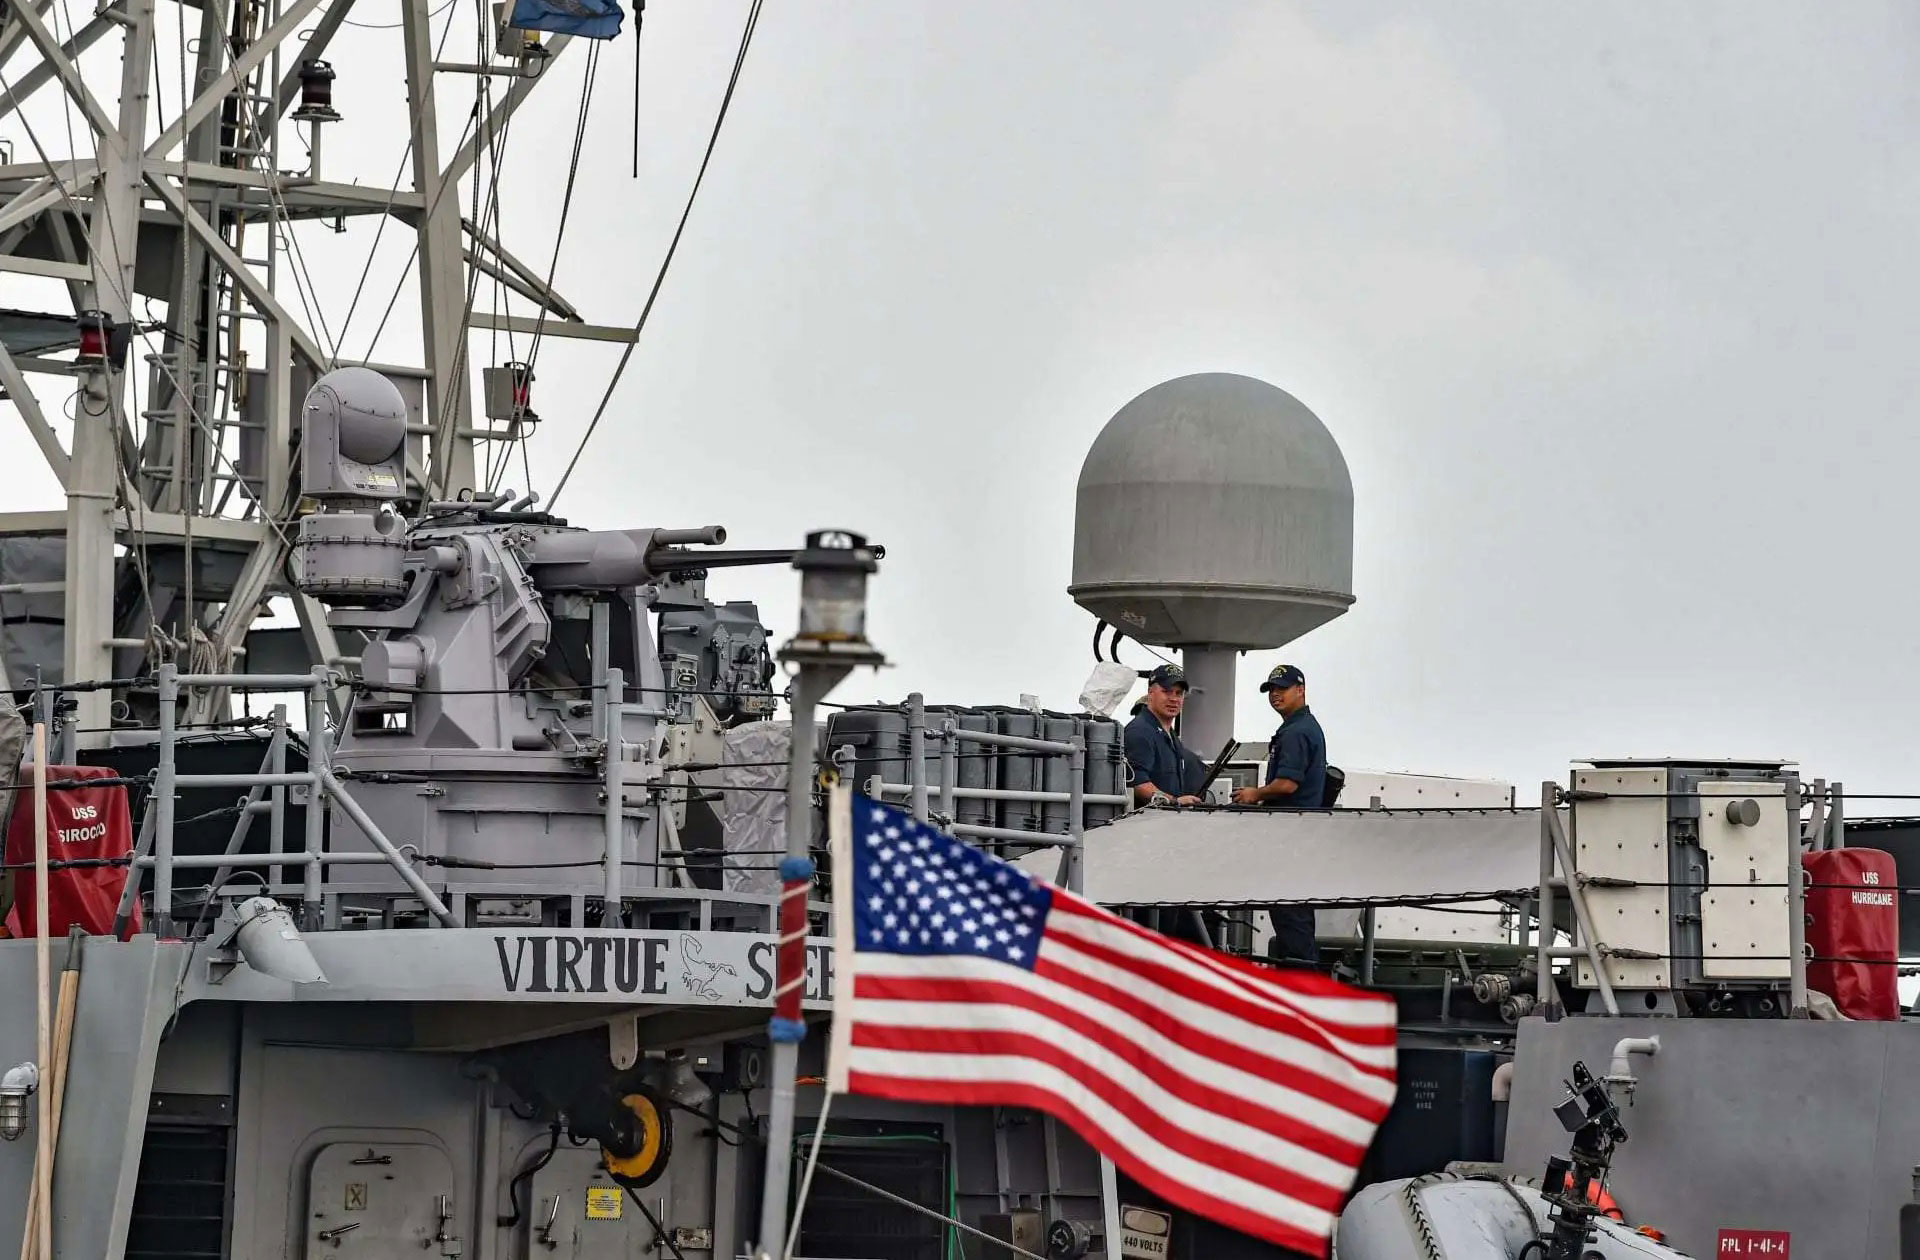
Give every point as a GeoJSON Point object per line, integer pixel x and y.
{"type": "Point", "coordinates": [1230, 1090]}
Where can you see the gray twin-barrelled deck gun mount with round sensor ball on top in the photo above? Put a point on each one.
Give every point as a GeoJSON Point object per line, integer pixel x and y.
{"type": "Point", "coordinates": [485, 702]}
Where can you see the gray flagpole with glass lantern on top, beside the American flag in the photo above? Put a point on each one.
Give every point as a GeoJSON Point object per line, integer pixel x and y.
{"type": "Point", "coordinates": [830, 642]}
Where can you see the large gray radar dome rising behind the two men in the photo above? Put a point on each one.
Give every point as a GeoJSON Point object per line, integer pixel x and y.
{"type": "Point", "coordinates": [1214, 510]}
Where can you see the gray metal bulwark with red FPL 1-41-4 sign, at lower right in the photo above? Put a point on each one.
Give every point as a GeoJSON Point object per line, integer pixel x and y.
{"type": "Point", "coordinates": [1798, 1127]}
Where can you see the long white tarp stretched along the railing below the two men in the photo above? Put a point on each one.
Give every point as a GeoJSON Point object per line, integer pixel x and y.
{"type": "Point", "coordinates": [1335, 858]}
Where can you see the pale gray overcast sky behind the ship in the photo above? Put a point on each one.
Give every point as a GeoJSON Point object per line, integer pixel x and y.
{"type": "Point", "coordinates": [1610, 308]}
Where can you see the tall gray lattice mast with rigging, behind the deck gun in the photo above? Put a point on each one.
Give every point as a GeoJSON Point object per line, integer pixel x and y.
{"type": "Point", "coordinates": [193, 335]}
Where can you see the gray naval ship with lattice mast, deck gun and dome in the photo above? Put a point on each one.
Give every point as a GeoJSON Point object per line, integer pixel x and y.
{"type": "Point", "coordinates": [443, 921]}
